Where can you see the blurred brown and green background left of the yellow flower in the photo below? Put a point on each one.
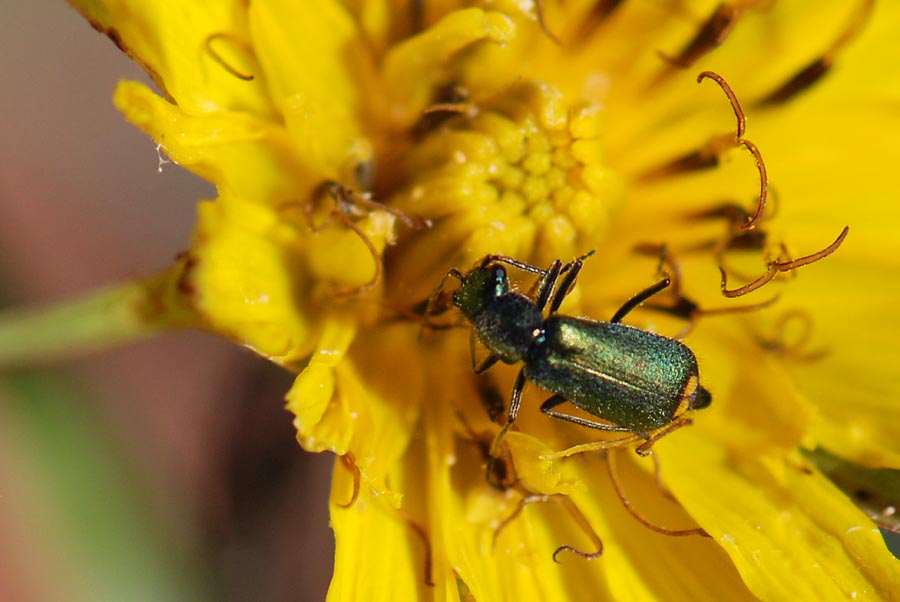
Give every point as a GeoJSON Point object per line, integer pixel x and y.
{"type": "Point", "coordinates": [166, 470]}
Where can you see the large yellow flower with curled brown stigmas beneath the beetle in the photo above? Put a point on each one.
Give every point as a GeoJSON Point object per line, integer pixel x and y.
{"type": "Point", "coordinates": [541, 131]}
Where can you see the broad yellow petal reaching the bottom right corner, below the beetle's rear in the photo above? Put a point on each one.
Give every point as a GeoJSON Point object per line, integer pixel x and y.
{"type": "Point", "coordinates": [791, 534]}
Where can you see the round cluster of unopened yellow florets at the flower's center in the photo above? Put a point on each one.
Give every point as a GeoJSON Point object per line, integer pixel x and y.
{"type": "Point", "coordinates": [522, 175]}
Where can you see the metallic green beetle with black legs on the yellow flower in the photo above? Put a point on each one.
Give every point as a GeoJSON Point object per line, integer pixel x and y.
{"type": "Point", "coordinates": [635, 381]}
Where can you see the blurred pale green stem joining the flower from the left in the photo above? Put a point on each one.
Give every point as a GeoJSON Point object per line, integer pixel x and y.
{"type": "Point", "coordinates": [100, 319]}
